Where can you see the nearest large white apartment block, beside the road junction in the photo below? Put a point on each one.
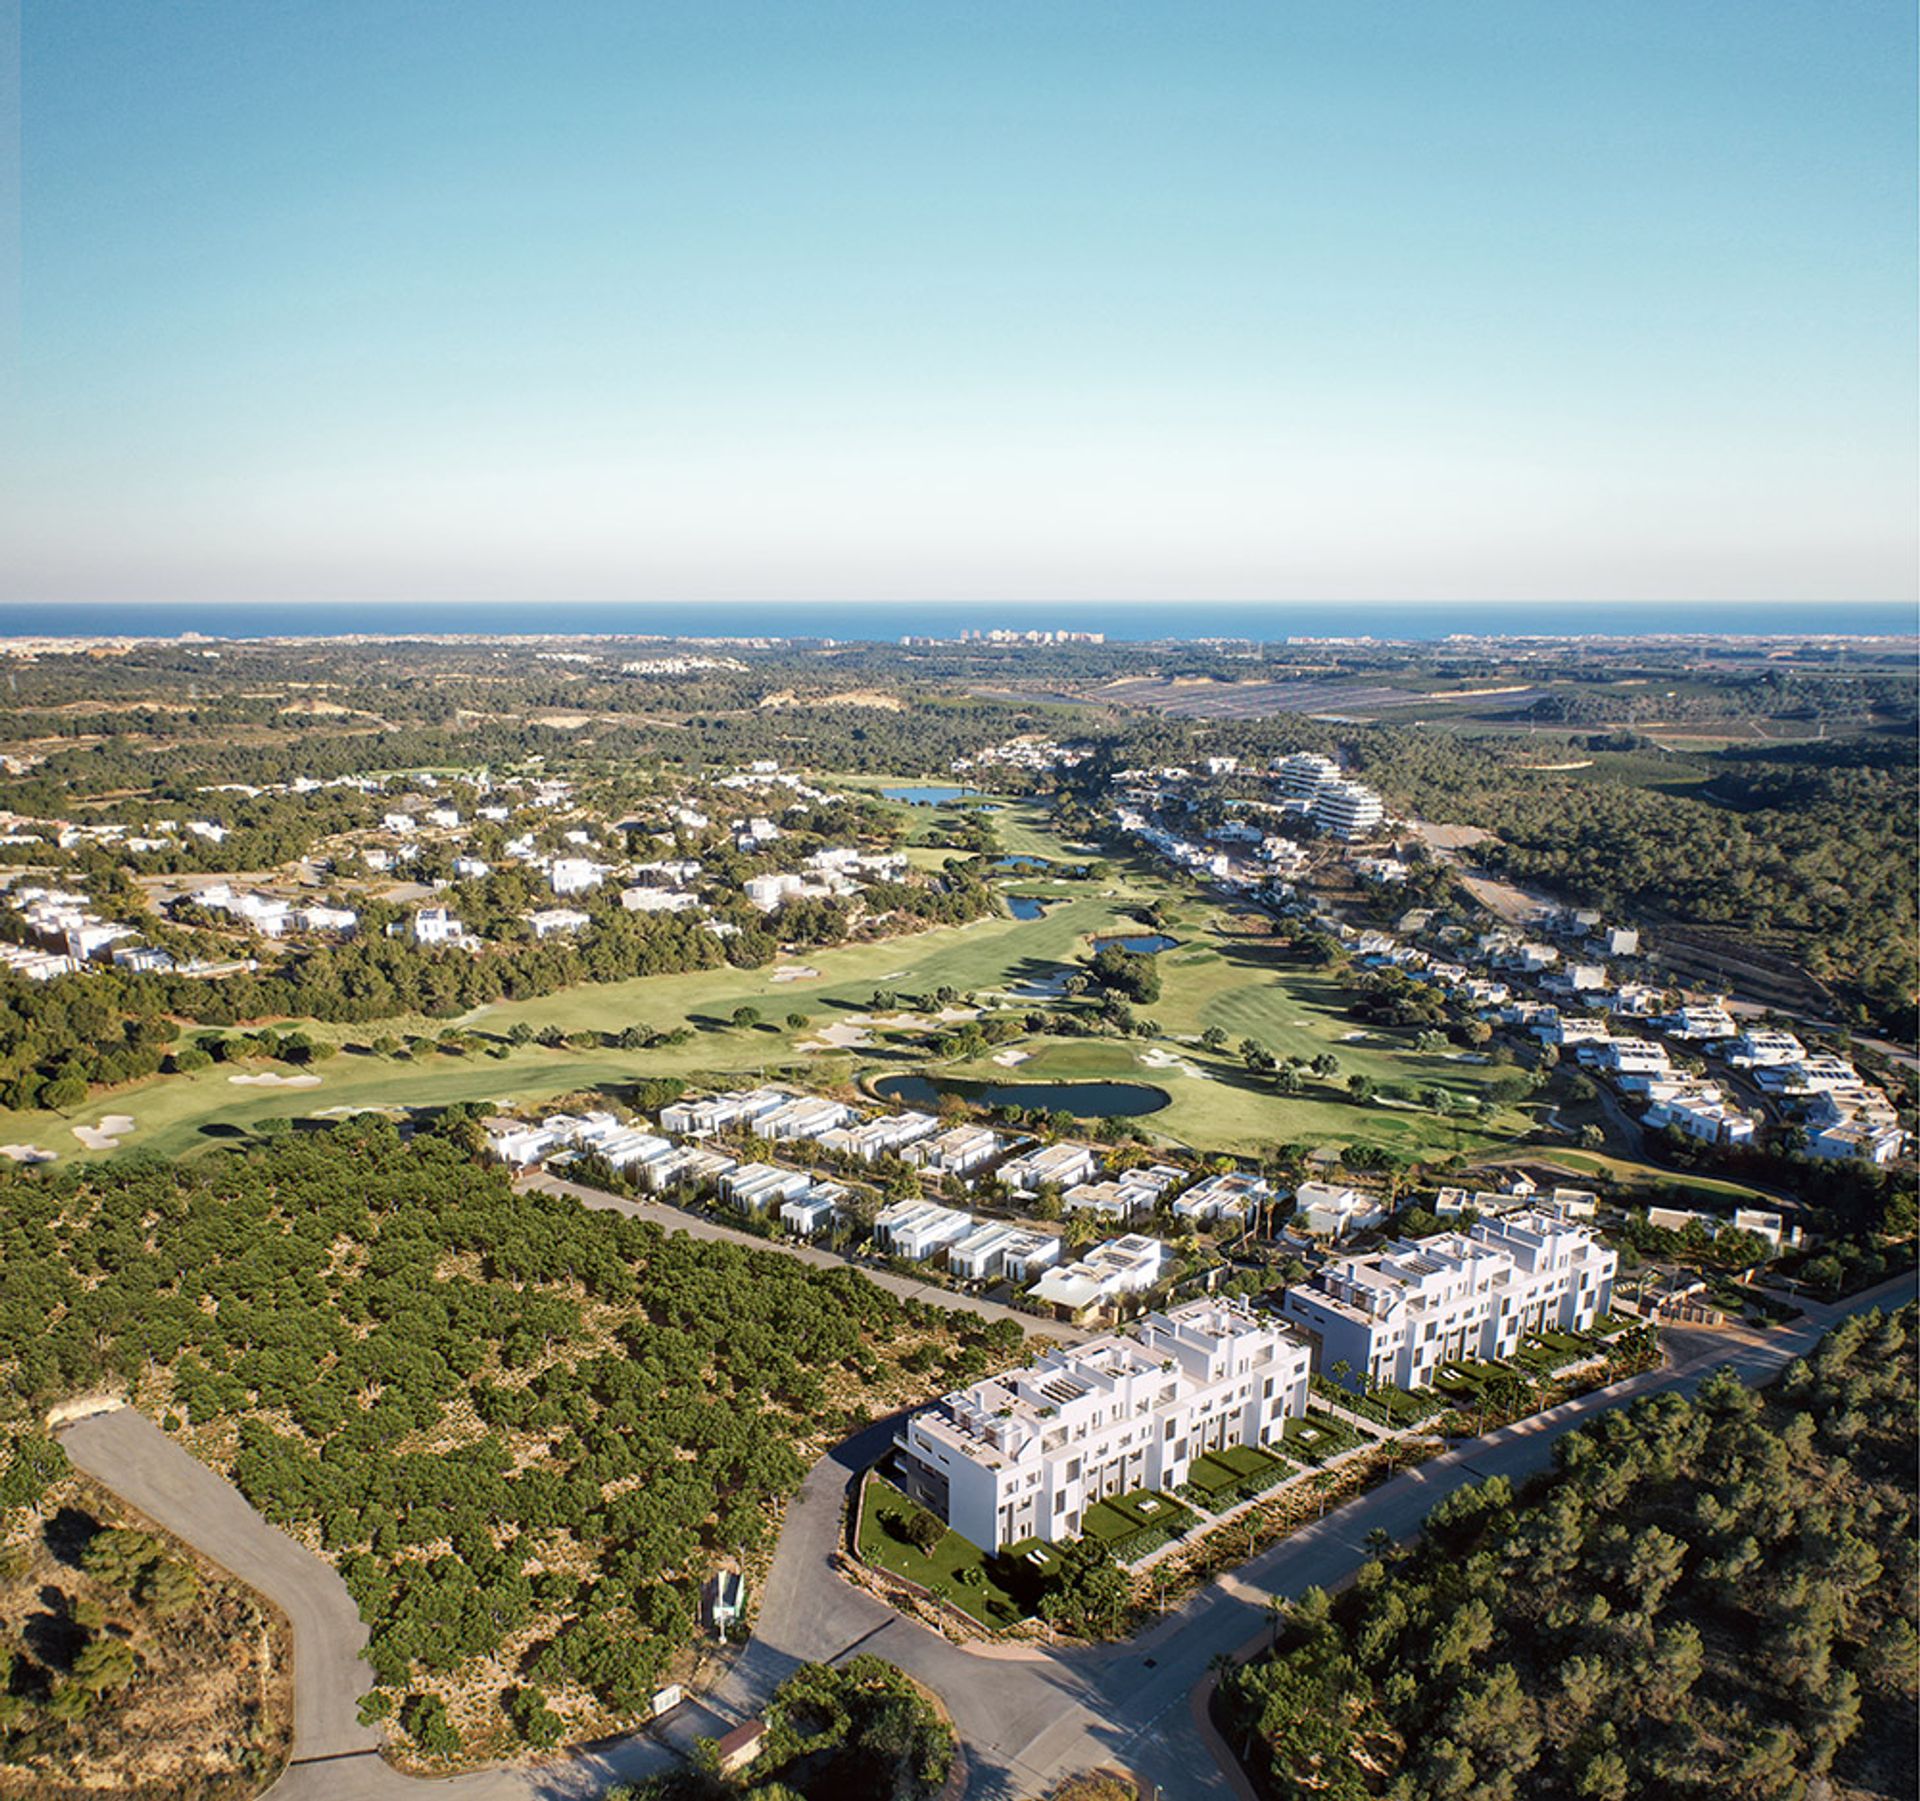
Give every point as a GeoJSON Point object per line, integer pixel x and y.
{"type": "Point", "coordinates": [1028, 1453]}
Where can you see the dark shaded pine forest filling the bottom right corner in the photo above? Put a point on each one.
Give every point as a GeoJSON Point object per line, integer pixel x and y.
{"type": "Point", "coordinates": [1712, 1598]}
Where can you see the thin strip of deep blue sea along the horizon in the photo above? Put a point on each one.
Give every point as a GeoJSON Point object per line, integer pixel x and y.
{"type": "Point", "coordinates": [888, 621]}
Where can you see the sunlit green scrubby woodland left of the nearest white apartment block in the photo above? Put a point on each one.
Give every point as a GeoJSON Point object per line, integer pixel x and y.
{"type": "Point", "coordinates": [521, 1429]}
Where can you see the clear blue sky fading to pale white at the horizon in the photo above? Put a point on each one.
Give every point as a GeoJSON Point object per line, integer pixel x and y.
{"type": "Point", "coordinates": [949, 299]}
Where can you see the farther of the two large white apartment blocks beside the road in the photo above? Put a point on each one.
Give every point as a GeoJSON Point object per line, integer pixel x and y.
{"type": "Point", "coordinates": [1399, 1314]}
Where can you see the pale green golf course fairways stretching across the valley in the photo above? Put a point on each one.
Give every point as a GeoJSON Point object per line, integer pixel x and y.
{"type": "Point", "coordinates": [1220, 974]}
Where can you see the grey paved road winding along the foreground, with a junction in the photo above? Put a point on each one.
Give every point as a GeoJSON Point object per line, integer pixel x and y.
{"type": "Point", "coordinates": [1028, 1716]}
